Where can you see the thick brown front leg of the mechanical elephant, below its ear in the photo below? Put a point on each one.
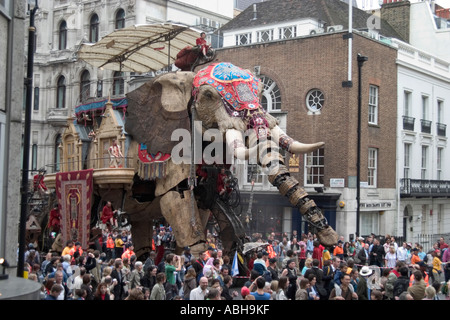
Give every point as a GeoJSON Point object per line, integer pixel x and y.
{"type": "Point", "coordinates": [184, 218]}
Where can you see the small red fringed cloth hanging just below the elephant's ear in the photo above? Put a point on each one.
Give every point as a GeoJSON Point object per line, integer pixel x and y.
{"type": "Point", "coordinates": [151, 166]}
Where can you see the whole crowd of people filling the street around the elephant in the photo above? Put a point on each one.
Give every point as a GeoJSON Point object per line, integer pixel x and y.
{"type": "Point", "coordinates": [287, 268]}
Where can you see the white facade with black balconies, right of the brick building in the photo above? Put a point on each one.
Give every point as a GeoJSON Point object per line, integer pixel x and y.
{"type": "Point", "coordinates": [423, 170]}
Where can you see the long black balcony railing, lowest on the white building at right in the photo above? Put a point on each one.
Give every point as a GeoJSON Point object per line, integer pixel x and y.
{"type": "Point", "coordinates": [424, 188]}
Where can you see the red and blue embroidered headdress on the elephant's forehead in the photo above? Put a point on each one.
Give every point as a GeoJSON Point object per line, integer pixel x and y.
{"type": "Point", "coordinates": [239, 91]}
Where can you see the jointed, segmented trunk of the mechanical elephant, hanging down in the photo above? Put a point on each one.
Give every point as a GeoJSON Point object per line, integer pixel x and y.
{"type": "Point", "coordinates": [279, 176]}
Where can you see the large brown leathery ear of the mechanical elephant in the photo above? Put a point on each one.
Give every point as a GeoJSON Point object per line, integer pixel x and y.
{"type": "Point", "coordinates": [156, 109]}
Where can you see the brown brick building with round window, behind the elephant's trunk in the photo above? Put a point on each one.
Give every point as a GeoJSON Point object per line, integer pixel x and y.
{"type": "Point", "coordinates": [298, 72]}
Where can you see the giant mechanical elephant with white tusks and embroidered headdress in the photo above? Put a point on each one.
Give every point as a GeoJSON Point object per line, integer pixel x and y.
{"type": "Point", "coordinates": [226, 98]}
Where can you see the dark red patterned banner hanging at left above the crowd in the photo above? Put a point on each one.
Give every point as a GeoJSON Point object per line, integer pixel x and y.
{"type": "Point", "coordinates": [74, 192]}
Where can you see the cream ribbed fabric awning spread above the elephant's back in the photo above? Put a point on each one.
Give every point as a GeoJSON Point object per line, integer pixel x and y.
{"type": "Point", "coordinates": [139, 48]}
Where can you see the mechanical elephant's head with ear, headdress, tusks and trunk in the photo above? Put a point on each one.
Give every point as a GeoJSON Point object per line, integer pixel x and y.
{"type": "Point", "coordinates": [224, 97]}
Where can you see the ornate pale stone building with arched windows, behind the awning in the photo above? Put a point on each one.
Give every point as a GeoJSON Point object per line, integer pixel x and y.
{"type": "Point", "coordinates": [61, 82]}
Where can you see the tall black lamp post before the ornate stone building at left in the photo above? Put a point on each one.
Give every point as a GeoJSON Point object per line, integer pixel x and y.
{"type": "Point", "coordinates": [32, 8]}
